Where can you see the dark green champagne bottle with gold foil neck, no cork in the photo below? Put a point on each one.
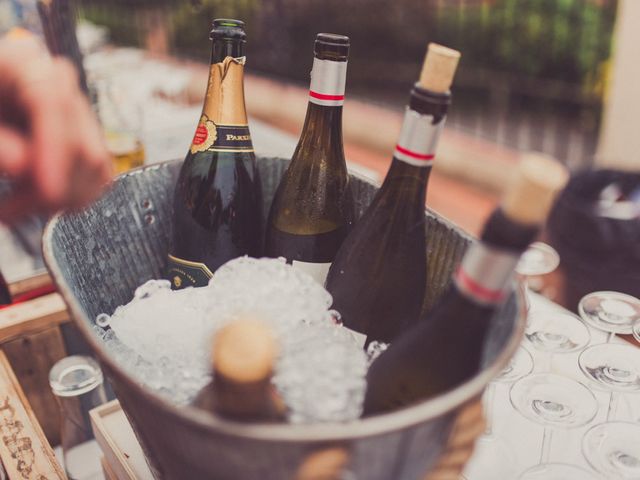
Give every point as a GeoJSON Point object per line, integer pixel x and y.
{"type": "Point", "coordinates": [218, 197]}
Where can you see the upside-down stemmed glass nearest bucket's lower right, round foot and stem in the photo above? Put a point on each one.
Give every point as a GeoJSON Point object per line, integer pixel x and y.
{"type": "Point", "coordinates": [552, 401]}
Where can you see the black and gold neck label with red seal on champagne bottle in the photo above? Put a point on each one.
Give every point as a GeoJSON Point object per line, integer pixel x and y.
{"type": "Point", "coordinates": [210, 137]}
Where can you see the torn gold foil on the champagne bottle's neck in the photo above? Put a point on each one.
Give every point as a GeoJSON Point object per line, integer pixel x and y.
{"type": "Point", "coordinates": [224, 101]}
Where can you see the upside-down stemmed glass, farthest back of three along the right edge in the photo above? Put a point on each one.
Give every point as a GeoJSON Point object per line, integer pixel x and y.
{"type": "Point", "coordinates": [612, 312]}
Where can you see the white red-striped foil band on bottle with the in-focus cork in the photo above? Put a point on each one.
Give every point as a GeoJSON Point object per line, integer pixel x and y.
{"type": "Point", "coordinates": [418, 139]}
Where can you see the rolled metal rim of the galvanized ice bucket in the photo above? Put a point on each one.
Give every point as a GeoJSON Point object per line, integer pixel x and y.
{"type": "Point", "coordinates": [320, 432]}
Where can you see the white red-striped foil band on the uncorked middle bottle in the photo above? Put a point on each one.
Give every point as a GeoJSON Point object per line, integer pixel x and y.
{"type": "Point", "coordinates": [328, 79]}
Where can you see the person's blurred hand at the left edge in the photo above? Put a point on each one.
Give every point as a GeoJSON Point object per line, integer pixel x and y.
{"type": "Point", "coordinates": [50, 142]}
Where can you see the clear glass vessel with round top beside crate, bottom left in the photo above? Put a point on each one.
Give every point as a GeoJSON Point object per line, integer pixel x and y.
{"type": "Point", "coordinates": [77, 383]}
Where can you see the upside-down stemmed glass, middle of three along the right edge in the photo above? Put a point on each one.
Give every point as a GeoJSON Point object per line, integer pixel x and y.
{"type": "Point", "coordinates": [612, 367]}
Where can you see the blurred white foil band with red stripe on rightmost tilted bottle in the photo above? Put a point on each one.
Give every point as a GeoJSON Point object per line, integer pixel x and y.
{"type": "Point", "coordinates": [485, 274]}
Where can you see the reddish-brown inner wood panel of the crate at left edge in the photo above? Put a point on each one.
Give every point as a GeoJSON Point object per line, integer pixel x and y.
{"type": "Point", "coordinates": [32, 357]}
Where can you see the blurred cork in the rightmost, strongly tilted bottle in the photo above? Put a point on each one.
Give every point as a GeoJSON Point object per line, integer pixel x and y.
{"type": "Point", "coordinates": [531, 193]}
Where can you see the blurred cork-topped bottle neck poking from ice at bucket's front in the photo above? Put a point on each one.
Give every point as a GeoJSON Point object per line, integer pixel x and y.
{"type": "Point", "coordinates": [244, 354]}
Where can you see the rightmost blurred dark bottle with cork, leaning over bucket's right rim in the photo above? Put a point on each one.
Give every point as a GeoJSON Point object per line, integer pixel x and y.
{"type": "Point", "coordinates": [445, 349]}
